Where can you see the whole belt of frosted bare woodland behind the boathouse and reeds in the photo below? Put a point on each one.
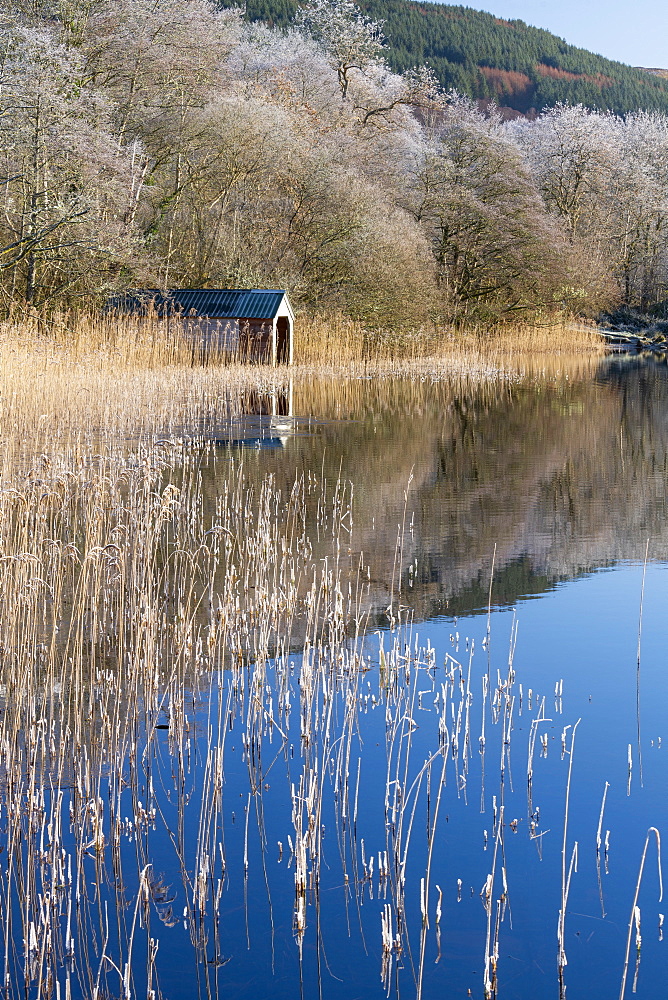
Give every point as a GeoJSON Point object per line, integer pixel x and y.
{"type": "Point", "coordinates": [171, 143]}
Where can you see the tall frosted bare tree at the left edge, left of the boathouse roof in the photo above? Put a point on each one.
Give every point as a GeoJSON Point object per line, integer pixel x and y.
{"type": "Point", "coordinates": [69, 189]}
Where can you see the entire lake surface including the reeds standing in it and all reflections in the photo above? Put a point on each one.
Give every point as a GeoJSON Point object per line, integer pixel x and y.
{"type": "Point", "coordinates": [246, 745]}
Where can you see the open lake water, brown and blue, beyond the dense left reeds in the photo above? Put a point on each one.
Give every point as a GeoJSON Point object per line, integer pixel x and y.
{"type": "Point", "coordinates": [548, 488]}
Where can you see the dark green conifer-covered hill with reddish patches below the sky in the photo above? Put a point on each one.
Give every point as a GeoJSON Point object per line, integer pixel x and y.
{"type": "Point", "coordinates": [521, 67]}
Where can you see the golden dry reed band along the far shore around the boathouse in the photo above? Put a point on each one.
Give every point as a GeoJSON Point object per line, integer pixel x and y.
{"type": "Point", "coordinates": [65, 386]}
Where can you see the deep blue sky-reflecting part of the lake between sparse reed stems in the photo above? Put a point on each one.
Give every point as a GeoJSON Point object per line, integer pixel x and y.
{"type": "Point", "coordinates": [584, 634]}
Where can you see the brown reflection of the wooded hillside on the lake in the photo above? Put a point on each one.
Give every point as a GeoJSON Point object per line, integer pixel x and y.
{"type": "Point", "coordinates": [563, 475]}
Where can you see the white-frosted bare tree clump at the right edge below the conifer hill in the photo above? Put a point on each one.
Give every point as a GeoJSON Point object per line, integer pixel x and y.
{"type": "Point", "coordinates": [606, 178]}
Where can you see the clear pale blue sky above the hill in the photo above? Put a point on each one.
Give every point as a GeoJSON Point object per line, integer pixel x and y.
{"type": "Point", "coordinates": [631, 31]}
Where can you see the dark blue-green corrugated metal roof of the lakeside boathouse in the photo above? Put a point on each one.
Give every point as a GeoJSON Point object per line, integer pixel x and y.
{"type": "Point", "coordinates": [220, 303]}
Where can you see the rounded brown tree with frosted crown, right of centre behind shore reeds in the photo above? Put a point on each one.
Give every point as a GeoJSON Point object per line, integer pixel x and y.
{"type": "Point", "coordinates": [494, 245]}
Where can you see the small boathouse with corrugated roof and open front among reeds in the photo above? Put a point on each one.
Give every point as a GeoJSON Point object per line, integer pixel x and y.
{"type": "Point", "coordinates": [254, 324]}
